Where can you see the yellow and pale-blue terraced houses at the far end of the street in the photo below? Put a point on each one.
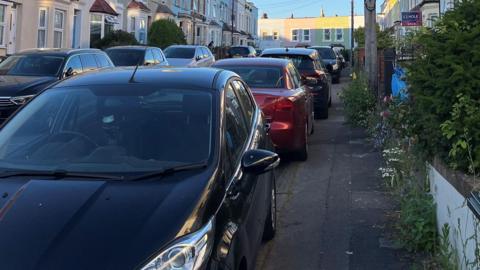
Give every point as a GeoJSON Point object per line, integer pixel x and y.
{"type": "Point", "coordinates": [310, 31]}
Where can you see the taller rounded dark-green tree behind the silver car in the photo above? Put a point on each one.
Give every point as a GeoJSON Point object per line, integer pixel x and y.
{"type": "Point", "coordinates": [164, 33]}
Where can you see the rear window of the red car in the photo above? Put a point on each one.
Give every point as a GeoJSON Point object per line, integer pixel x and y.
{"type": "Point", "coordinates": [259, 77]}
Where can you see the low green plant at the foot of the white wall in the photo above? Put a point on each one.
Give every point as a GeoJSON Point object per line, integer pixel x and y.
{"type": "Point", "coordinates": [417, 224]}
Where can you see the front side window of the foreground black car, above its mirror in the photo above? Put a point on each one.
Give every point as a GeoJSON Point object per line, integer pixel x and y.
{"type": "Point", "coordinates": [235, 129]}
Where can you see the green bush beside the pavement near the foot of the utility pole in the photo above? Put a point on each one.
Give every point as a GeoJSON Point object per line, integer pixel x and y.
{"type": "Point", "coordinates": [359, 102]}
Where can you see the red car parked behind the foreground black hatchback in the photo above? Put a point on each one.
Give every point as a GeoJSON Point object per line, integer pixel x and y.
{"type": "Point", "coordinates": [284, 98]}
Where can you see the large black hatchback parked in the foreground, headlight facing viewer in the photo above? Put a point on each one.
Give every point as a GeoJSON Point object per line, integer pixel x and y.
{"type": "Point", "coordinates": [166, 169]}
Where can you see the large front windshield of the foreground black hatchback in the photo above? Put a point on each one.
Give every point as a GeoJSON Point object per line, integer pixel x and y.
{"type": "Point", "coordinates": [114, 129]}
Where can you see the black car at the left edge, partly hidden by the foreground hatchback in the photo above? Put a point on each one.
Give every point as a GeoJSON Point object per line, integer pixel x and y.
{"type": "Point", "coordinates": [25, 74]}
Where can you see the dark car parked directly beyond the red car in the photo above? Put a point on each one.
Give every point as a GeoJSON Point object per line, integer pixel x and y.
{"type": "Point", "coordinates": [309, 65]}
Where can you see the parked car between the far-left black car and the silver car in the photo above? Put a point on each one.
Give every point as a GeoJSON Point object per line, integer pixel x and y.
{"type": "Point", "coordinates": [123, 56]}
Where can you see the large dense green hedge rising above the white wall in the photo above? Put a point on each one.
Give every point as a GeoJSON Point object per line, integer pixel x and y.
{"type": "Point", "coordinates": [444, 81]}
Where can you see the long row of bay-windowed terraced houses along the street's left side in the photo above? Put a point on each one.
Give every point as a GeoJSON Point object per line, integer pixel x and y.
{"type": "Point", "coordinates": [28, 24]}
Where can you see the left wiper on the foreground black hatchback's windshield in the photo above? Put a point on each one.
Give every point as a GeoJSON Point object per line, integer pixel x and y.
{"type": "Point", "coordinates": [58, 174]}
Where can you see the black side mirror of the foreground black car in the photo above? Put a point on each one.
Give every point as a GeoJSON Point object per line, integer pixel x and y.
{"type": "Point", "coordinates": [259, 161]}
